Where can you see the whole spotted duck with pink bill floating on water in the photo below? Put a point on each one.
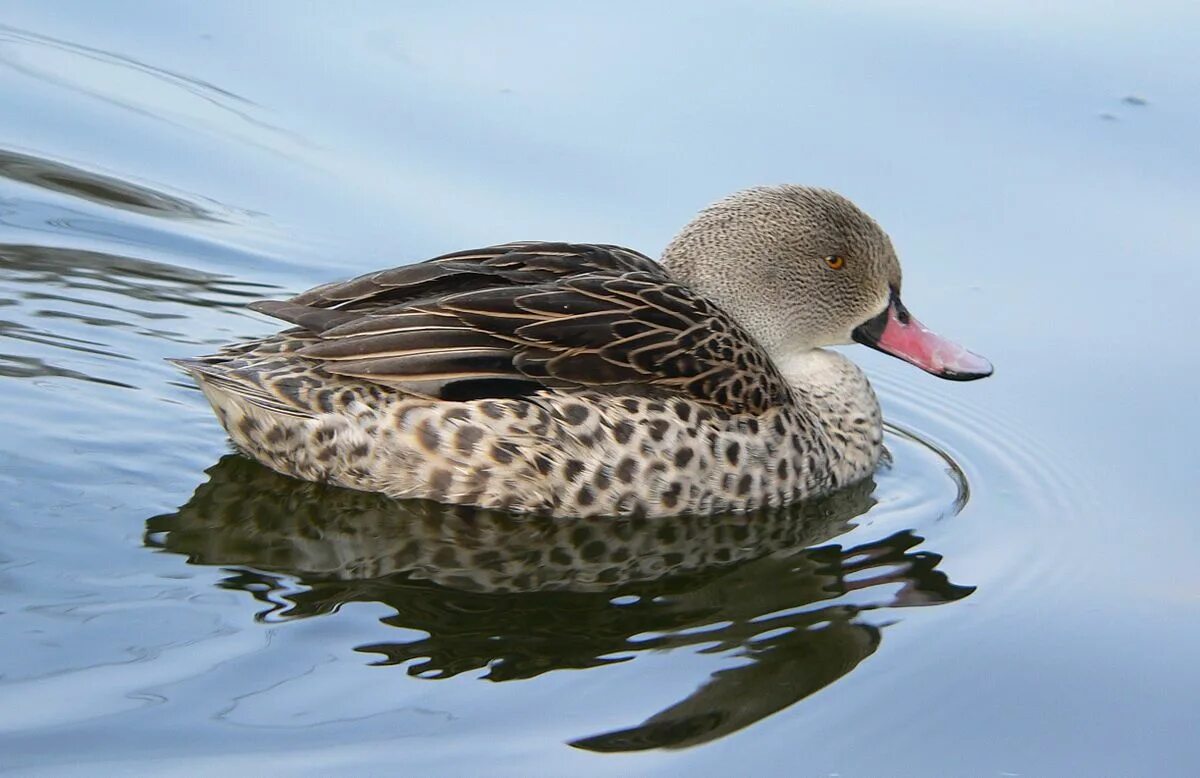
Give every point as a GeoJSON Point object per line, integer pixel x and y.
{"type": "Point", "coordinates": [589, 380]}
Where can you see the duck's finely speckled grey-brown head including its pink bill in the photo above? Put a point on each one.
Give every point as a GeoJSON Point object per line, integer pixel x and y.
{"type": "Point", "coordinates": [802, 268]}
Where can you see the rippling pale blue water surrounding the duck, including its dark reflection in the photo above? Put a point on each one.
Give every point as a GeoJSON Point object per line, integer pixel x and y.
{"type": "Point", "coordinates": [1016, 594]}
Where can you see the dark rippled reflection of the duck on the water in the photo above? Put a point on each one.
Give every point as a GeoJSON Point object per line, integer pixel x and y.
{"type": "Point", "coordinates": [524, 596]}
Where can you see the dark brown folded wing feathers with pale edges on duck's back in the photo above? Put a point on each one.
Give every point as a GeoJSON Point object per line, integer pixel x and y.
{"type": "Point", "coordinates": [515, 319]}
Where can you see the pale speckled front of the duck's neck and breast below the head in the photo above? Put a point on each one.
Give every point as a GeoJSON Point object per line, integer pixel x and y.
{"type": "Point", "coordinates": [843, 405]}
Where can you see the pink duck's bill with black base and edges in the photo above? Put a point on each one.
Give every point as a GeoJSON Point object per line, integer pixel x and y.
{"type": "Point", "coordinates": [896, 332]}
